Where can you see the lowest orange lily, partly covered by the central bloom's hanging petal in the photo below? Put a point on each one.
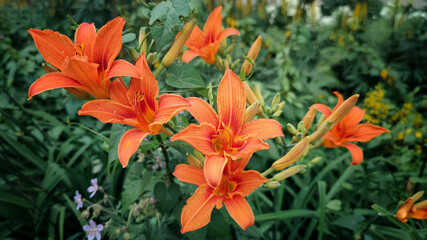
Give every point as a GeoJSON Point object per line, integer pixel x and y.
{"type": "Point", "coordinates": [235, 185]}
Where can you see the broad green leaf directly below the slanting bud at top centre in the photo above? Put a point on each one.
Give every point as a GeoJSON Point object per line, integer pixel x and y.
{"type": "Point", "coordinates": [183, 75]}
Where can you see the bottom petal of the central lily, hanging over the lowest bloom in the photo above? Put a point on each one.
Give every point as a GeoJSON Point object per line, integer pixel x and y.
{"type": "Point", "coordinates": [213, 168]}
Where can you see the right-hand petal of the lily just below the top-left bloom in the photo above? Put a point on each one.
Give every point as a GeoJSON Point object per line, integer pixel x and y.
{"type": "Point", "coordinates": [169, 106]}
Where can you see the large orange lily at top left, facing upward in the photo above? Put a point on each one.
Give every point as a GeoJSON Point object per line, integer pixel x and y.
{"type": "Point", "coordinates": [85, 66]}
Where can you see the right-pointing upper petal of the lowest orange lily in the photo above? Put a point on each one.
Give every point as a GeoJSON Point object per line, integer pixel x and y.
{"type": "Point", "coordinates": [248, 181]}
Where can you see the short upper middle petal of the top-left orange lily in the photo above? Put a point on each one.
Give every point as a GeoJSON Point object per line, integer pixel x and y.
{"type": "Point", "coordinates": [84, 37]}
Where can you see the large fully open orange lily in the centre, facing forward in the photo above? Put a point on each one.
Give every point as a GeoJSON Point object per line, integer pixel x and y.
{"type": "Point", "coordinates": [225, 136]}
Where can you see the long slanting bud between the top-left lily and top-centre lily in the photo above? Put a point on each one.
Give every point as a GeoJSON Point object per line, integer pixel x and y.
{"type": "Point", "coordinates": [178, 44]}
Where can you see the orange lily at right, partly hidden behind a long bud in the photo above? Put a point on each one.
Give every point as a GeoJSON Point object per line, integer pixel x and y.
{"type": "Point", "coordinates": [348, 130]}
